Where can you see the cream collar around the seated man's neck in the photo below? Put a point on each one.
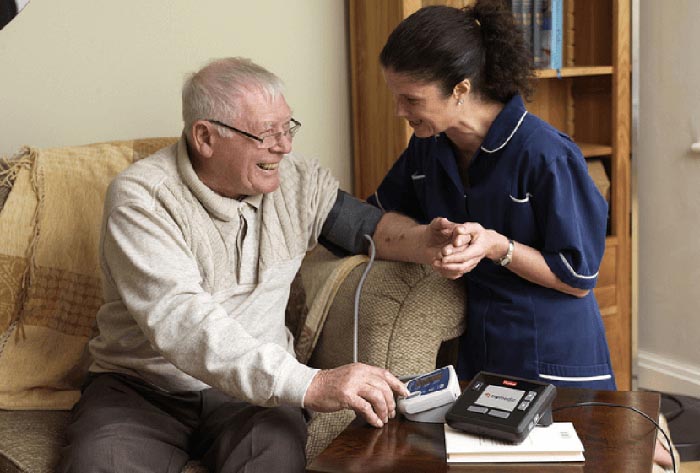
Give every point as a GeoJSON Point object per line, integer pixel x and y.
{"type": "Point", "coordinates": [223, 208]}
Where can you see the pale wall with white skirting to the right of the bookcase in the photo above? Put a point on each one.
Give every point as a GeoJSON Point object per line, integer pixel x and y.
{"type": "Point", "coordinates": [668, 197]}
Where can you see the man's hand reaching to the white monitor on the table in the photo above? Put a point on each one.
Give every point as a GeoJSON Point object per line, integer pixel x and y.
{"type": "Point", "coordinates": [365, 389]}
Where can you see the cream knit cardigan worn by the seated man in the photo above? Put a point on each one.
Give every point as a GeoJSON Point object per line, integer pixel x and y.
{"type": "Point", "coordinates": [175, 314]}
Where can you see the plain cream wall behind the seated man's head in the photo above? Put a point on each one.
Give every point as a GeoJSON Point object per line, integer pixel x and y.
{"type": "Point", "coordinates": [82, 71]}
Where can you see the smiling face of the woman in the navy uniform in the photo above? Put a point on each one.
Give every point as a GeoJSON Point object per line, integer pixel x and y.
{"type": "Point", "coordinates": [423, 104]}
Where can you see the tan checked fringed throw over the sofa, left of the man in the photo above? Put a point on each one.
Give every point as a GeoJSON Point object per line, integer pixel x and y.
{"type": "Point", "coordinates": [49, 271]}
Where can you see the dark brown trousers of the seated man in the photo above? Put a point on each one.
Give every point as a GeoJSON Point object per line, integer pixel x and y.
{"type": "Point", "coordinates": [122, 424]}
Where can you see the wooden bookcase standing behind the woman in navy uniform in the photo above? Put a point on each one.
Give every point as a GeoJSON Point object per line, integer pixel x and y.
{"type": "Point", "coordinates": [590, 101]}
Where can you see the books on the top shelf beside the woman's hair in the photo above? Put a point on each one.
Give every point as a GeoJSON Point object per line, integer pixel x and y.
{"type": "Point", "coordinates": [542, 24]}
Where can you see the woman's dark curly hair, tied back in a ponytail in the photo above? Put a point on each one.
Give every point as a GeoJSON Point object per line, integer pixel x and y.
{"type": "Point", "coordinates": [446, 45]}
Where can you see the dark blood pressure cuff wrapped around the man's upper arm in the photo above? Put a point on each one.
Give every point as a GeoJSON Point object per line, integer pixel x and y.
{"type": "Point", "coordinates": [349, 221]}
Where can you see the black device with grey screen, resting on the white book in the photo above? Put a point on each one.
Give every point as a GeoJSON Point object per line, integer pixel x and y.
{"type": "Point", "coordinates": [502, 407]}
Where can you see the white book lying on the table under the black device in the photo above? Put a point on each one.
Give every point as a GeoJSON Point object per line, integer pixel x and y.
{"type": "Point", "coordinates": [555, 443]}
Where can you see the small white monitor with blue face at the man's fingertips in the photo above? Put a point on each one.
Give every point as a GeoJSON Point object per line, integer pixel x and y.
{"type": "Point", "coordinates": [430, 396]}
